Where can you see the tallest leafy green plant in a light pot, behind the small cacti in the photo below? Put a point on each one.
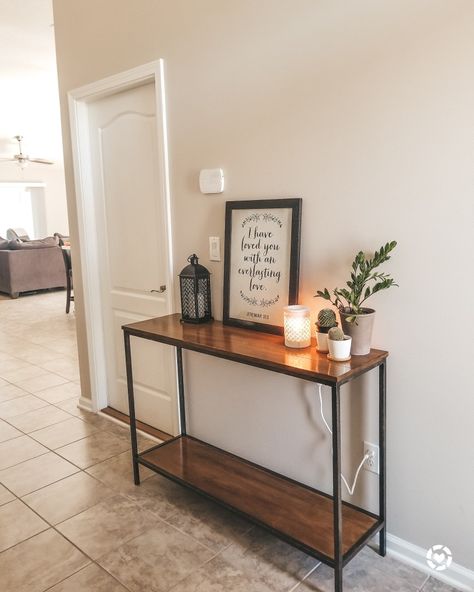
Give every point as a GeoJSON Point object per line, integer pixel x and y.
{"type": "Point", "coordinates": [356, 319]}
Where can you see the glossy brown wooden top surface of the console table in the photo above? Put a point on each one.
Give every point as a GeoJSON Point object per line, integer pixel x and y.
{"type": "Point", "coordinates": [254, 348]}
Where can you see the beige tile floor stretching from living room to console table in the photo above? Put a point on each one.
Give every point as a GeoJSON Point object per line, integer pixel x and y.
{"type": "Point", "coordinates": [71, 520]}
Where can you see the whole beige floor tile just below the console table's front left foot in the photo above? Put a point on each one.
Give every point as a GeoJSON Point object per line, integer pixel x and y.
{"type": "Point", "coordinates": [107, 525]}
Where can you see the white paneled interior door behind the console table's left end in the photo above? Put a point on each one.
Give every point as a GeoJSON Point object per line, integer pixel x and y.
{"type": "Point", "coordinates": [132, 237]}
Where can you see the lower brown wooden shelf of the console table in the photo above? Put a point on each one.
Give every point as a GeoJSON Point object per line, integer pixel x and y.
{"type": "Point", "coordinates": [296, 513]}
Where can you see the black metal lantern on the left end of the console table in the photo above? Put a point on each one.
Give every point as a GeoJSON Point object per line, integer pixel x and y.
{"type": "Point", "coordinates": [195, 285]}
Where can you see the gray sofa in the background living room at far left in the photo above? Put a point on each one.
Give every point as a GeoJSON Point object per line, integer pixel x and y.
{"type": "Point", "coordinates": [31, 265]}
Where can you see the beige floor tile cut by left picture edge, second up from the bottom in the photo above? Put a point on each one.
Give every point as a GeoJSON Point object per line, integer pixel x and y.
{"type": "Point", "coordinates": [17, 523]}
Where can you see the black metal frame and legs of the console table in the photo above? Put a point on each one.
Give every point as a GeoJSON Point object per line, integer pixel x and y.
{"type": "Point", "coordinates": [340, 559]}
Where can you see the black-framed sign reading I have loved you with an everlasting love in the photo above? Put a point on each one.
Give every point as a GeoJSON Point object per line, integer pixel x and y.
{"type": "Point", "coordinates": [261, 264]}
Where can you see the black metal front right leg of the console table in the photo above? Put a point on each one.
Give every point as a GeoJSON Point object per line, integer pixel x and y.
{"type": "Point", "coordinates": [336, 480]}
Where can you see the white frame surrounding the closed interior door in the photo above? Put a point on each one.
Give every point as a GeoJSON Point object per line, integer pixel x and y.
{"type": "Point", "coordinates": [79, 100]}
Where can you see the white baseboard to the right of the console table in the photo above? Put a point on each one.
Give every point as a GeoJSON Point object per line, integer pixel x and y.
{"type": "Point", "coordinates": [456, 575]}
